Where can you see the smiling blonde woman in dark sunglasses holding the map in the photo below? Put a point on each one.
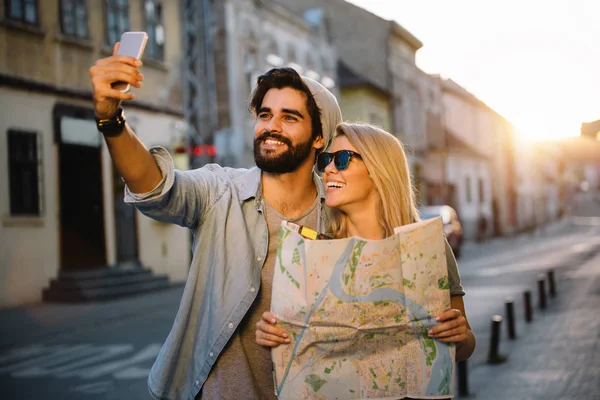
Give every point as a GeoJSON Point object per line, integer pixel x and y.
{"type": "Point", "coordinates": [369, 192]}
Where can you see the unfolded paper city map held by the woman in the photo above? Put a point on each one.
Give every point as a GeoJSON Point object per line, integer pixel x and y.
{"type": "Point", "coordinates": [358, 312]}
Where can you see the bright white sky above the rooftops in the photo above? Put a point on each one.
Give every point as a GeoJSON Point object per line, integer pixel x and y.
{"type": "Point", "coordinates": [537, 62]}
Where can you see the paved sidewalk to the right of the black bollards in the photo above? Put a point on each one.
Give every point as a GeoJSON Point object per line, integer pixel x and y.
{"type": "Point", "coordinates": [557, 356]}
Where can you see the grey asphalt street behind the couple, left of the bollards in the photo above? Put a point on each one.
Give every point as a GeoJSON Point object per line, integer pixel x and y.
{"type": "Point", "coordinates": [104, 350]}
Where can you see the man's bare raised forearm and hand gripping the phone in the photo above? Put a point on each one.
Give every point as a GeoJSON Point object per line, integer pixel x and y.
{"type": "Point", "coordinates": [132, 159]}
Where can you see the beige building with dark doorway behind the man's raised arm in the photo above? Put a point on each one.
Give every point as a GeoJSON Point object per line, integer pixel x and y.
{"type": "Point", "coordinates": [61, 202]}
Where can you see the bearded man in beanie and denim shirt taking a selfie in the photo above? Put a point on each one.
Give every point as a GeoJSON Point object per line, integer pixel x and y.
{"type": "Point", "coordinates": [234, 215]}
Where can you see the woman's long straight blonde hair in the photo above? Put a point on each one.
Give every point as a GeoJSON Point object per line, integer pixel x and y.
{"type": "Point", "coordinates": [385, 159]}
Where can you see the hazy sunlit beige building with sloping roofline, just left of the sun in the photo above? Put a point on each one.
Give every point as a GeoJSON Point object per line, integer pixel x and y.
{"type": "Point", "coordinates": [480, 164]}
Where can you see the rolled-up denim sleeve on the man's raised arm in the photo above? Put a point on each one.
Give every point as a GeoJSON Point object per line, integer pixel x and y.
{"type": "Point", "coordinates": [181, 196]}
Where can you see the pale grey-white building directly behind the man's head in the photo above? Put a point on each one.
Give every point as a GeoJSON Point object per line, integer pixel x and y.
{"type": "Point", "coordinates": [253, 37]}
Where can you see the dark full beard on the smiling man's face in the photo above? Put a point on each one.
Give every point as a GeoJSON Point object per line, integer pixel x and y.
{"type": "Point", "coordinates": [284, 163]}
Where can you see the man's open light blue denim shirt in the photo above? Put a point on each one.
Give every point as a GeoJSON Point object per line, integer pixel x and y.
{"type": "Point", "coordinates": [223, 209]}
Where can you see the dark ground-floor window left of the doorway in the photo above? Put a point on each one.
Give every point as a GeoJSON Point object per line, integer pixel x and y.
{"type": "Point", "coordinates": [24, 166]}
